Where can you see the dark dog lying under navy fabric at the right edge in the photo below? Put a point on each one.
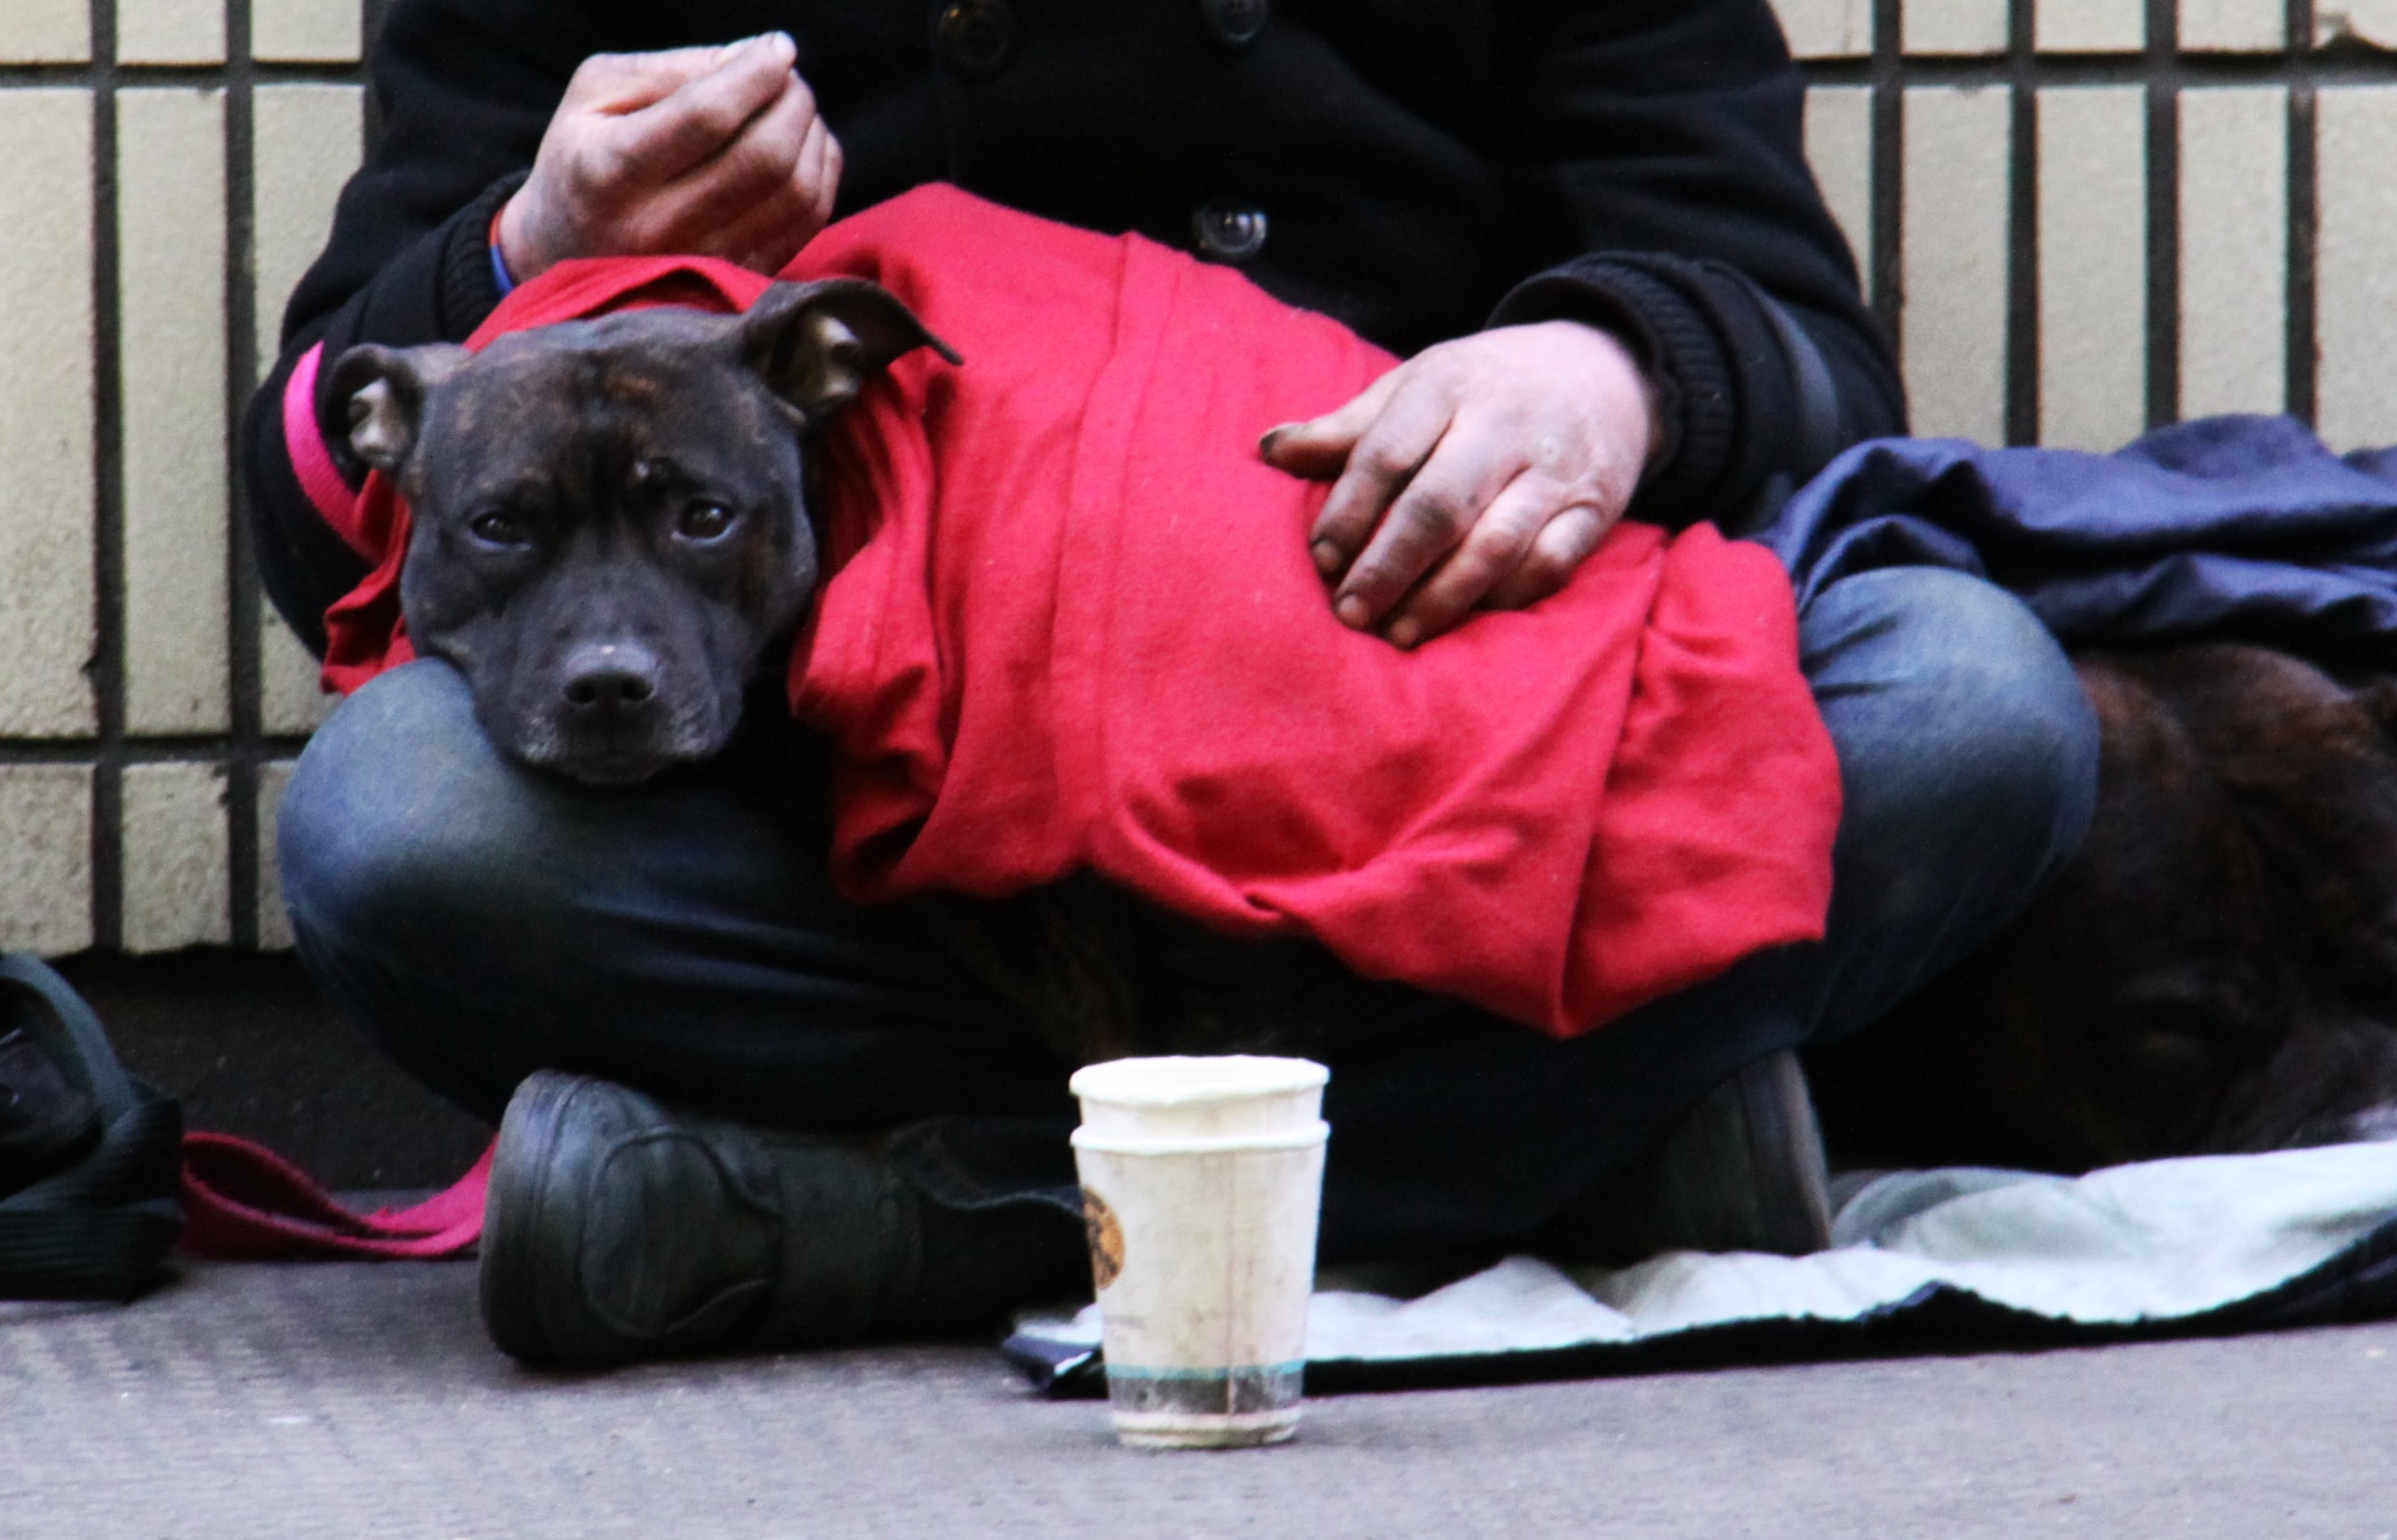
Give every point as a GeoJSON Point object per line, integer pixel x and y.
{"type": "Point", "coordinates": [2214, 974]}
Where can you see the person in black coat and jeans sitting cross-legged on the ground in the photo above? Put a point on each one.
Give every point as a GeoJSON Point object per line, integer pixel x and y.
{"type": "Point", "coordinates": [787, 1117]}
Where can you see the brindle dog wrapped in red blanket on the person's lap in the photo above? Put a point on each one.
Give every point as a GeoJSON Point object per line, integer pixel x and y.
{"type": "Point", "coordinates": [610, 535]}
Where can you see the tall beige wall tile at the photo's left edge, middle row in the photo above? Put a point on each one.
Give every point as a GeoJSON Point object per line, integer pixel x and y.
{"type": "Point", "coordinates": [47, 619]}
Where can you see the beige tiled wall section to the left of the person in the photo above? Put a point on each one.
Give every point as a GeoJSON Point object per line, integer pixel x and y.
{"type": "Point", "coordinates": [167, 174]}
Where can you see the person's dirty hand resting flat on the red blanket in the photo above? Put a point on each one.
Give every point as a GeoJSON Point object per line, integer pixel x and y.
{"type": "Point", "coordinates": [1475, 475]}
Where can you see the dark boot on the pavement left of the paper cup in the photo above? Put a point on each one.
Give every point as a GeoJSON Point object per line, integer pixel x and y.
{"type": "Point", "coordinates": [622, 1230]}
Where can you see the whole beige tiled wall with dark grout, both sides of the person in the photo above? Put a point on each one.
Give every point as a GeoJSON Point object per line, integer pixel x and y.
{"type": "Point", "coordinates": [2079, 217]}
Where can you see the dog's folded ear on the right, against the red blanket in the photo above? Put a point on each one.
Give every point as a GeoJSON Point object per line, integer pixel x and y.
{"type": "Point", "coordinates": [819, 344]}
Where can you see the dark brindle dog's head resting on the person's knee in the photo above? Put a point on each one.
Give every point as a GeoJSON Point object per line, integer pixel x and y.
{"type": "Point", "coordinates": [610, 516]}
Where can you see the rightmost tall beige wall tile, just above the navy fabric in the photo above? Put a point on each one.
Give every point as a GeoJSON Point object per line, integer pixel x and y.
{"type": "Point", "coordinates": [2357, 267]}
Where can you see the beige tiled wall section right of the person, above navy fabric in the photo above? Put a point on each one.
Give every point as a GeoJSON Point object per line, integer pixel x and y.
{"type": "Point", "coordinates": [2091, 217]}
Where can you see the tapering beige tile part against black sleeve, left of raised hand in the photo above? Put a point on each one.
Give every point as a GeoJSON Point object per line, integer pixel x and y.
{"type": "Point", "coordinates": [308, 145]}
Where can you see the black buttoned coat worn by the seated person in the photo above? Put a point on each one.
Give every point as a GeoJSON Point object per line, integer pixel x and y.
{"type": "Point", "coordinates": [1418, 169]}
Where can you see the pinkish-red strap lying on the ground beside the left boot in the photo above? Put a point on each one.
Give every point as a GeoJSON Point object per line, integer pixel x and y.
{"type": "Point", "coordinates": [253, 1206]}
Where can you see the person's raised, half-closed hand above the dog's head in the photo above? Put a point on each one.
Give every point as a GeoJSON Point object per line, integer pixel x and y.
{"type": "Point", "coordinates": [716, 152]}
